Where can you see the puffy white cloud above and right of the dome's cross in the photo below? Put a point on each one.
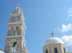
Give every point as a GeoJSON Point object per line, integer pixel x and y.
{"type": "Point", "coordinates": [64, 28]}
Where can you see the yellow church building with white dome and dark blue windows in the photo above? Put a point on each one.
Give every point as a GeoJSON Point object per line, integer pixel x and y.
{"type": "Point", "coordinates": [54, 45]}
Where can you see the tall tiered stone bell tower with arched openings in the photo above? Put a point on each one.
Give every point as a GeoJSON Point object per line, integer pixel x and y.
{"type": "Point", "coordinates": [15, 39]}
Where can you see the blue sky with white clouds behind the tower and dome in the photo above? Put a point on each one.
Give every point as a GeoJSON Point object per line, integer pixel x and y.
{"type": "Point", "coordinates": [42, 17]}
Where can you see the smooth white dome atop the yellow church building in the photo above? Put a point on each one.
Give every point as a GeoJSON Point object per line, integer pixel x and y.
{"type": "Point", "coordinates": [54, 40]}
